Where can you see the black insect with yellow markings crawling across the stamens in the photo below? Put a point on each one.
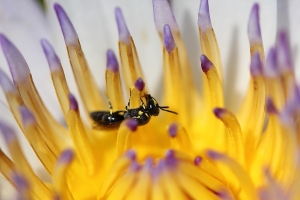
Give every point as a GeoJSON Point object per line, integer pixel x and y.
{"type": "Point", "coordinates": [112, 120]}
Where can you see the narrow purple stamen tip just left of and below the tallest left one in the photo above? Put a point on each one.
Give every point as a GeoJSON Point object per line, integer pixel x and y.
{"type": "Point", "coordinates": [52, 58]}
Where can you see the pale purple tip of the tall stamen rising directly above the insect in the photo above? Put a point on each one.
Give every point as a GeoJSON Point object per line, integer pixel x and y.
{"type": "Point", "coordinates": [124, 35]}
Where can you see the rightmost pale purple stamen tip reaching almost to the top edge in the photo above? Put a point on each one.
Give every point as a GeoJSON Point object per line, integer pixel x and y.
{"type": "Point", "coordinates": [254, 32]}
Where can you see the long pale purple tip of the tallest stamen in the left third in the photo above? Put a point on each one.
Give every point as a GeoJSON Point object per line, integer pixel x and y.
{"type": "Point", "coordinates": [66, 25]}
